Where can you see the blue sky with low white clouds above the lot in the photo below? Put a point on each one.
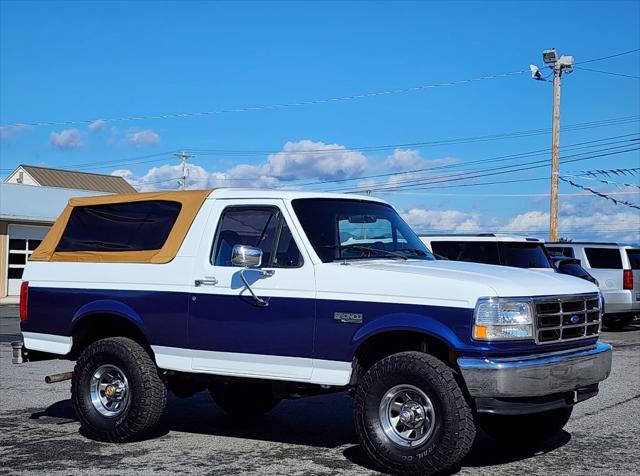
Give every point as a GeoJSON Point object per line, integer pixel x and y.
{"type": "Point", "coordinates": [102, 87]}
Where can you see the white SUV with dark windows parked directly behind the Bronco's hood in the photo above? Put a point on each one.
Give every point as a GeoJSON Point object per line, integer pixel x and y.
{"type": "Point", "coordinates": [490, 248]}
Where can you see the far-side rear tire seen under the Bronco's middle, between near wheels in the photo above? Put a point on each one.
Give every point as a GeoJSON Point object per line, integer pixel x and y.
{"type": "Point", "coordinates": [244, 400]}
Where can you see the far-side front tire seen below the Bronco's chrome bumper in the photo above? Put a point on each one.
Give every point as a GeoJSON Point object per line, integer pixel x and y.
{"type": "Point", "coordinates": [528, 429]}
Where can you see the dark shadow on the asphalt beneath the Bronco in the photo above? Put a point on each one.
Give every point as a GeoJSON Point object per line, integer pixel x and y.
{"type": "Point", "coordinates": [324, 421]}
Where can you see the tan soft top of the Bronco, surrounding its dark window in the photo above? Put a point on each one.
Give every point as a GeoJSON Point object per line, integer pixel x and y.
{"type": "Point", "coordinates": [191, 201]}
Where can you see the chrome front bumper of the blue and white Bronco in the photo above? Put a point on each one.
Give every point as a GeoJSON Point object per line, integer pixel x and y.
{"type": "Point", "coordinates": [536, 375]}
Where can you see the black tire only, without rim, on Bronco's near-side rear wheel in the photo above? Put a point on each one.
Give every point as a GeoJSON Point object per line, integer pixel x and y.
{"type": "Point", "coordinates": [147, 391]}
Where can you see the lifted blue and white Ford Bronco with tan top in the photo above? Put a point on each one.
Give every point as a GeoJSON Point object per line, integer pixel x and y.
{"type": "Point", "coordinates": [257, 296]}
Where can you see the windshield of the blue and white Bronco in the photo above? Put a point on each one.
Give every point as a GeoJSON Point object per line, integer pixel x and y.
{"type": "Point", "coordinates": [357, 229]}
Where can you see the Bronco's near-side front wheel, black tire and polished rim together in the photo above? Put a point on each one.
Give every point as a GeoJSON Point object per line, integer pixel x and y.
{"type": "Point", "coordinates": [411, 415]}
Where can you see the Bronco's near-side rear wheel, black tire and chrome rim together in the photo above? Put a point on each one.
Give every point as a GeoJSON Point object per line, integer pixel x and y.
{"type": "Point", "coordinates": [116, 391]}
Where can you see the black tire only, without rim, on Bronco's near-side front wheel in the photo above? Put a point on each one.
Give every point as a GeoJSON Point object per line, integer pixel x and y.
{"type": "Point", "coordinates": [454, 430]}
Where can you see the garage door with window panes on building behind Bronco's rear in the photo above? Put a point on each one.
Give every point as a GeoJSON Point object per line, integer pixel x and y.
{"type": "Point", "coordinates": [23, 239]}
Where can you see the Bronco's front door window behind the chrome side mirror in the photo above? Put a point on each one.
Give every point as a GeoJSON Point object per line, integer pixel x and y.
{"type": "Point", "coordinates": [261, 227]}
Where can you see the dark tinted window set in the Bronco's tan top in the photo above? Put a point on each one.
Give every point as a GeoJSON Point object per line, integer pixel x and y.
{"type": "Point", "coordinates": [135, 226]}
